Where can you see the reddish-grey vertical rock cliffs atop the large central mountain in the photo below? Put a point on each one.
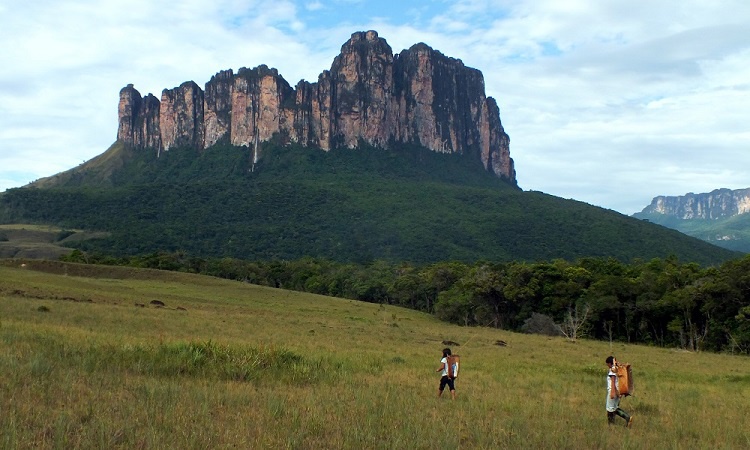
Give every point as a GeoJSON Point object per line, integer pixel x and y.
{"type": "Point", "coordinates": [369, 95]}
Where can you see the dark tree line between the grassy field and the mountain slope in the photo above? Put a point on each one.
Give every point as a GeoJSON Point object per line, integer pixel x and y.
{"type": "Point", "coordinates": [659, 302]}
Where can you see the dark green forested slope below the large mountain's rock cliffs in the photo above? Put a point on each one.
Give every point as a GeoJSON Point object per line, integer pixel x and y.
{"type": "Point", "coordinates": [347, 205]}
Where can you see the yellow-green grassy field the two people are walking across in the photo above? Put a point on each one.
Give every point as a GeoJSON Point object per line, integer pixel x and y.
{"type": "Point", "coordinates": [90, 358]}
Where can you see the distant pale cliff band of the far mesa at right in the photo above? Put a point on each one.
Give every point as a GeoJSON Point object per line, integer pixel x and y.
{"type": "Point", "coordinates": [716, 204]}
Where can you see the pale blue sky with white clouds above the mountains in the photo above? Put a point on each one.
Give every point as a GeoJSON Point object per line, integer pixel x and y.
{"type": "Point", "coordinates": [607, 102]}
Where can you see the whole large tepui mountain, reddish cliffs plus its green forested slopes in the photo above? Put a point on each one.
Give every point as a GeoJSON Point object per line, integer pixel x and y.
{"type": "Point", "coordinates": [399, 157]}
